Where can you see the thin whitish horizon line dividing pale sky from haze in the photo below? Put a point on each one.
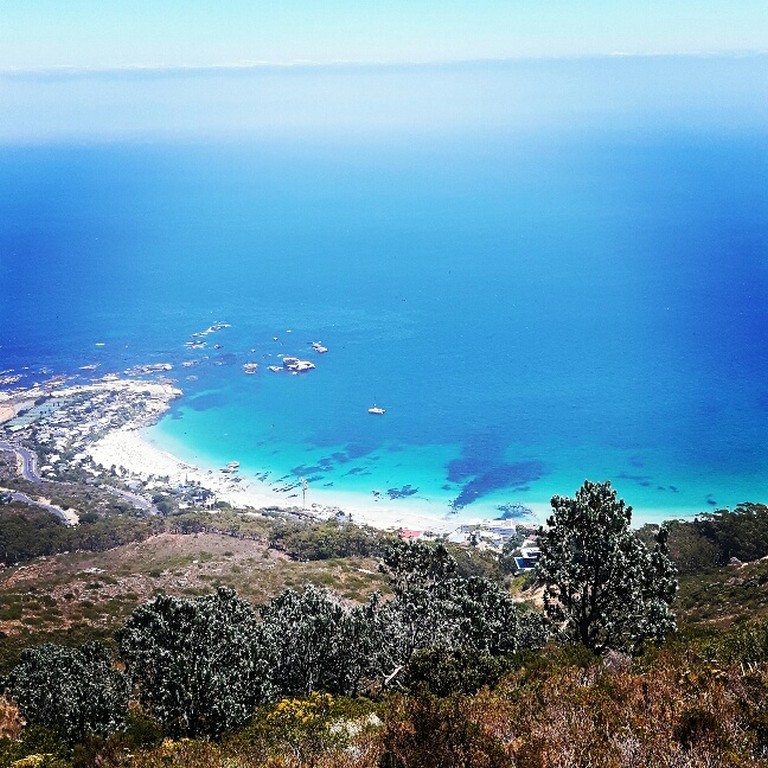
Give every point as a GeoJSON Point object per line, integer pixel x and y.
{"type": "Point", "coordinates": [159, 68]}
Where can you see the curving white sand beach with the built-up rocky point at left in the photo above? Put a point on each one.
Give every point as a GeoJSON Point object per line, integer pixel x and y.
{"type": "Point", "coordinates": [106, 421]}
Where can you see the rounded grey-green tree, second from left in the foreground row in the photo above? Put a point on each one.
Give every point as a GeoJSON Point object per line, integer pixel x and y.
{"type": "Point", "coordinates": [195, 662]}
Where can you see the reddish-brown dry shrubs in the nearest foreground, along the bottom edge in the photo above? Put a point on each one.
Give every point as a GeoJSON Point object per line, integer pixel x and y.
{"type": "Point", "coordinates": [677, 710]}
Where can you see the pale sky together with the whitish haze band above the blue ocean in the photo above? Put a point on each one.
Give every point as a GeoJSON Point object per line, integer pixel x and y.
{"type": "Point", "coordinates": [136, 69]}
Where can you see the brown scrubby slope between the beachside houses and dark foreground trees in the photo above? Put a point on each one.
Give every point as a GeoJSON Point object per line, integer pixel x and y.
{"type": "Point", "coordinates": [100, 589]}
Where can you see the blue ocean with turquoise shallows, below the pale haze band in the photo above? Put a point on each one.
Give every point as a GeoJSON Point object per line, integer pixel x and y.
{"type": "Point", "coordinates": [532, 304]}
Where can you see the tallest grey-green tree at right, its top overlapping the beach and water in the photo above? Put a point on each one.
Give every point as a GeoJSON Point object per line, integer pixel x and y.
{"type": "Point", "coordinates": [603, 587]}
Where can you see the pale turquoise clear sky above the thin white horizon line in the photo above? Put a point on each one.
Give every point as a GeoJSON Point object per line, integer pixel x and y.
{"type": "Point", "coordinates": [108, 33]}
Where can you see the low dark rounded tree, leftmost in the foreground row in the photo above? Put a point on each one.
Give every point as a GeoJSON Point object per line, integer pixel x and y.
{"type": "Point", "coordinates": [75, 692]}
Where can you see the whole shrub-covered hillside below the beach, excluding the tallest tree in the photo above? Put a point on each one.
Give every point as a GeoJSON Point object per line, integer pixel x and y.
{"type": "Point", "coordinates": [481, 681]}
